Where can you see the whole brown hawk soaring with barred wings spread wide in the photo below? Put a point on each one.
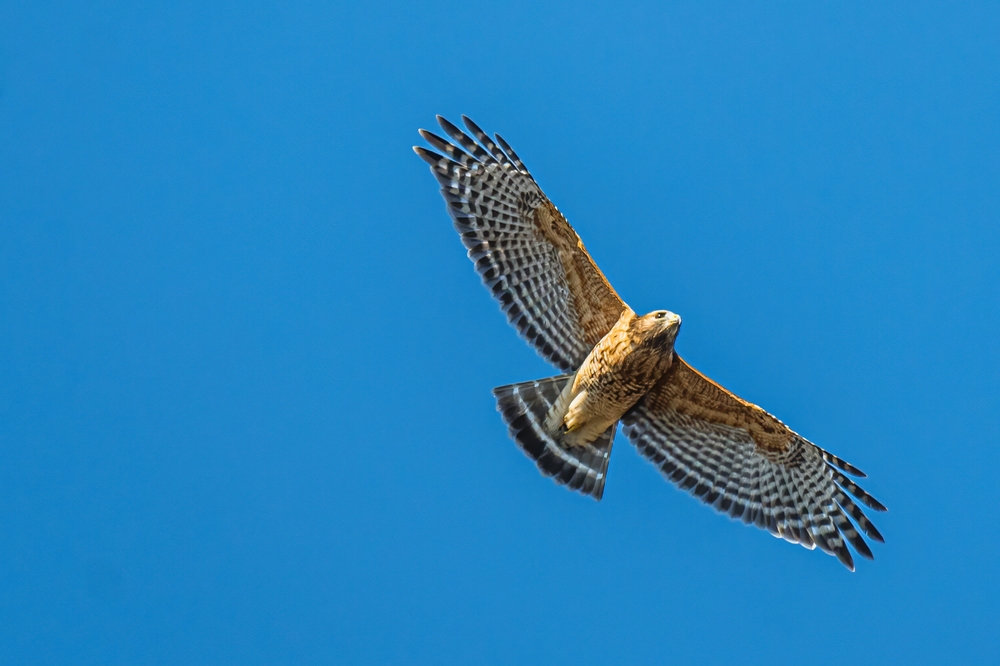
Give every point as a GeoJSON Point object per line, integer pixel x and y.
{"type": "Point", "coordinates": [621, 367]}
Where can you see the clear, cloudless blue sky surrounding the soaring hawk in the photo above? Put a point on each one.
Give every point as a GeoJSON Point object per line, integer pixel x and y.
{"type": "Point", "coordinates": [245, 370]}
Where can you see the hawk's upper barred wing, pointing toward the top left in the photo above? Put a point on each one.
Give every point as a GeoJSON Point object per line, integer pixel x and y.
{"type": "Point", "coordinates": [524, 249]}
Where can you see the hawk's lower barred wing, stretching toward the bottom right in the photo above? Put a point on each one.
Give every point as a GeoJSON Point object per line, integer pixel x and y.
{"type": "Point", "coordinates": [742, 461]}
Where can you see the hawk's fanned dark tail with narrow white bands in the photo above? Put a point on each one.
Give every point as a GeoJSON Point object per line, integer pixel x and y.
{"type": "Point", "coordinates": [524, 408]}
